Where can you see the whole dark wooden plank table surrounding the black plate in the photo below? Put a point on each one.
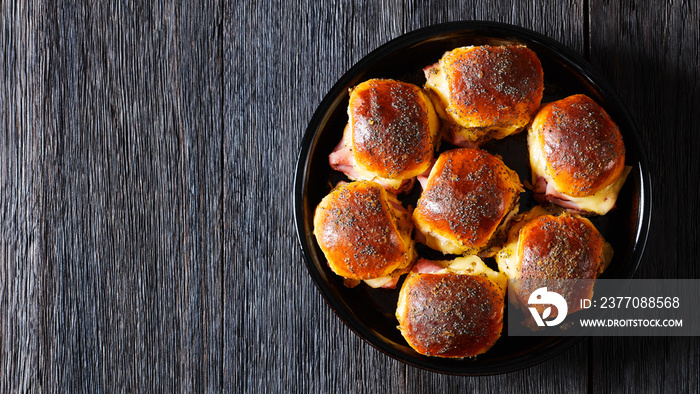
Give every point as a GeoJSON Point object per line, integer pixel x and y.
{"type": "Point", "coordinates": [147, 152]}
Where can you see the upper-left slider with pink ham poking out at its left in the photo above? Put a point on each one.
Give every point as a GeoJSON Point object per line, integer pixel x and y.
{"type": "Point", "coordinates": [391, 134]}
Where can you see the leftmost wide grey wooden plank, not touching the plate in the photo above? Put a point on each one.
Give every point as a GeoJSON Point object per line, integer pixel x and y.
{"type": "Point", "coordinates": [126, 292]}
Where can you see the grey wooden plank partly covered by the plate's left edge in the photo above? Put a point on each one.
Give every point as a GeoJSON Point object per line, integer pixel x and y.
{"type": "Point", "coordinates": [281, 336]}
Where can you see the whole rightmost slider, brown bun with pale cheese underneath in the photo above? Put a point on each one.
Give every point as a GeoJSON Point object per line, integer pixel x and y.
{"type": "Point", "coordinates": [577, 155]}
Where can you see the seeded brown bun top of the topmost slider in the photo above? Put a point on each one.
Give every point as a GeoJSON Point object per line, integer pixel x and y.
{"type": "Point", "coordinates": [491, 81]}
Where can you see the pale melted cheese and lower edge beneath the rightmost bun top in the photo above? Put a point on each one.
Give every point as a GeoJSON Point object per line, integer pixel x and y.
{"type": "Point", "coordinates": [599, 203]}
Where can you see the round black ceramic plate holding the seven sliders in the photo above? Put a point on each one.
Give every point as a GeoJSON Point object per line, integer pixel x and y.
{"type": "Point", "coordinates": [370, 312]}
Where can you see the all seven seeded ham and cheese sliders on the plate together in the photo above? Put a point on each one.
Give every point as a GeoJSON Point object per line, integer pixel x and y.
{"type": "Point", "coordinates": [469, 204]}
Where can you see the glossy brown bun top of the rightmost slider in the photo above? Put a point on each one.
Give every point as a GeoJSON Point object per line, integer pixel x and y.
{"type": "Point", "coordinates": [582, 146]}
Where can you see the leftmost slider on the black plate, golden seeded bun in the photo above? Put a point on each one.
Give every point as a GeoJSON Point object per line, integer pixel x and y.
{"type": "Point", "coordinates": [365, 234]}
